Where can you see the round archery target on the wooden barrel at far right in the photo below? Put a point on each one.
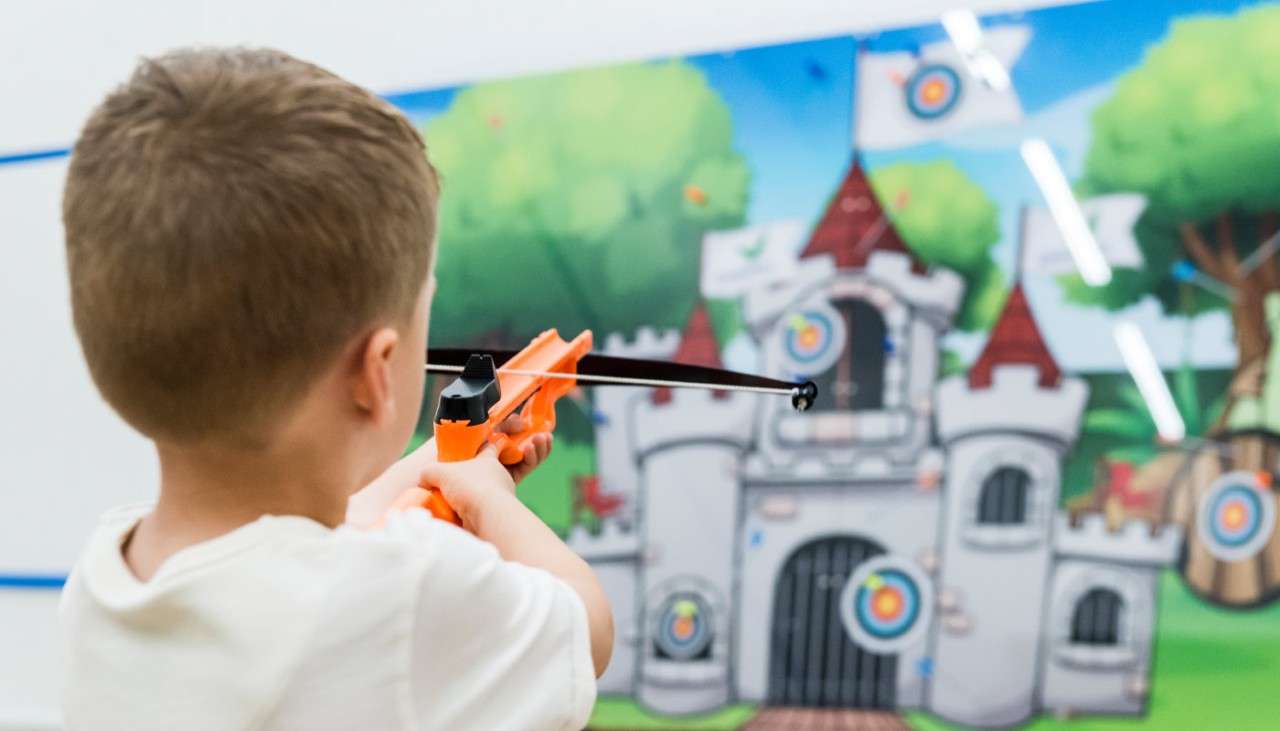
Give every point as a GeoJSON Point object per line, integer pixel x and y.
{"type": "Point", "coordinates": [1237, 517]}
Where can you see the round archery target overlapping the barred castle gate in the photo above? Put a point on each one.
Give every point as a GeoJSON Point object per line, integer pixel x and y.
{"type": "Point", "coordinates": [888, 605]}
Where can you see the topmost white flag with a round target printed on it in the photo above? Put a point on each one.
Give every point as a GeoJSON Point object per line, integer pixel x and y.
{"type": "Point", "coordinates": [904, 99]}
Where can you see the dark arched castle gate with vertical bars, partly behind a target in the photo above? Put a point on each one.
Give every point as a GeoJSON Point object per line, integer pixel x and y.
{"type": "Point", "coordinates": [812, 660]}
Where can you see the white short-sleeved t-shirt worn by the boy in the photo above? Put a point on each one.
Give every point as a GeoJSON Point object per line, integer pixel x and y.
{"type": "Point", "coordinates": [287, 624]}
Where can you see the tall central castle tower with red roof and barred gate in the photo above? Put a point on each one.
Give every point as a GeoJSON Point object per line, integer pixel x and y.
{"type": "Point", "coordinates": [842, 499]}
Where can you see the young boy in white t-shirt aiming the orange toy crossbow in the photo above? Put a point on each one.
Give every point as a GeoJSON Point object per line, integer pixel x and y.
{"type": "Point", "coordinates": [250, 244]}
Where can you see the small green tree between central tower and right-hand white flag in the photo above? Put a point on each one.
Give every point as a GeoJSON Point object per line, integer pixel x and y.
{"type": "Point", "coordinates": [948, 221]}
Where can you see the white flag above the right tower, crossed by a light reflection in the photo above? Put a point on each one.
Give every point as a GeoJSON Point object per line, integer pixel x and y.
{"type": "Point", "coordinates": [1112, 220]}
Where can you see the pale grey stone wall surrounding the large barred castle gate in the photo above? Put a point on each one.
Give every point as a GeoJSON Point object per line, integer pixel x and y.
{"type": "Point", "coordinates": [781, 518]}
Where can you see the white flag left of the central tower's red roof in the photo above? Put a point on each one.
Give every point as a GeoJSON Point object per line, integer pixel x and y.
{"type": "Point", "coordinates": [739, 261]}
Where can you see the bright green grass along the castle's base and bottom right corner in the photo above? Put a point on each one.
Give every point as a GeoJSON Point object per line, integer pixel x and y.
{"type": "Point", "coordinates": [1214, 670]}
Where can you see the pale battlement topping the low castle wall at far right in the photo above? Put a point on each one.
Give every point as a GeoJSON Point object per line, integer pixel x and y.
{"type": "Point", "coordinates": [1133, 543]}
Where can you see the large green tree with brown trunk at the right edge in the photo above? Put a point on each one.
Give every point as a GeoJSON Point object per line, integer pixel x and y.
{"type": "Point", "coordinates": [1196, 129]}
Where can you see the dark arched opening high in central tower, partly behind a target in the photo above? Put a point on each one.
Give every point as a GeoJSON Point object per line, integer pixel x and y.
{"type": "Point", "coordinates": [857, 382]}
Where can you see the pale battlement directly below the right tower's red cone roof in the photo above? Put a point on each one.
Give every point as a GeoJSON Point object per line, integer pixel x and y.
{"type": "Point", "coordinates": [1014, 403]}
